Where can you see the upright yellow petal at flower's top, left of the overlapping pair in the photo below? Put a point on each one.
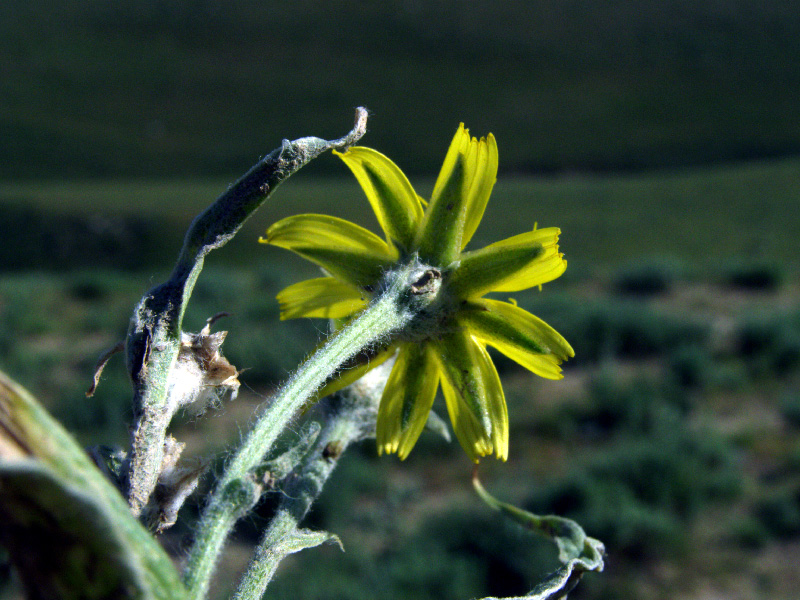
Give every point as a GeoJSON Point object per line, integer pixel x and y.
{"type": "Point", "coordinates": [440, 237]}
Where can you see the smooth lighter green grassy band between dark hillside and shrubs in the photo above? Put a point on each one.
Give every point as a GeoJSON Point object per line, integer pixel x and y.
{"type": "Point", "coordinates": [700, 219]}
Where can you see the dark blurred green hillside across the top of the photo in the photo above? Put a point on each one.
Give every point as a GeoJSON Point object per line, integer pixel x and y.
{"type": "Point", "coordinates": [202, 87]}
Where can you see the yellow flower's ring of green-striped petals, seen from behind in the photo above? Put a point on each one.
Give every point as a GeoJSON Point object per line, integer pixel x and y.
{"type": "Point", "coordinates": [447, 343]}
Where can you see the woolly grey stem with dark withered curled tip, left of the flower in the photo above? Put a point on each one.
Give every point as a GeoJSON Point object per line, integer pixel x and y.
{"type": "Point", "coordinates": [153, 340]}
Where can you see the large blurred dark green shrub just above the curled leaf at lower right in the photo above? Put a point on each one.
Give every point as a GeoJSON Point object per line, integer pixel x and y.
{"type": "Point", "coordinates": [639, 496]}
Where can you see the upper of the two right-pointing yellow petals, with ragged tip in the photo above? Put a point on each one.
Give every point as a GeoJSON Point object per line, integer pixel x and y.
{"type": "Point", "coordinates": [513, 264]}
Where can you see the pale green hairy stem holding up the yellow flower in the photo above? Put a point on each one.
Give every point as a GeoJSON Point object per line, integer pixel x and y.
{"type": "Point", "coordinates": [389, 312]}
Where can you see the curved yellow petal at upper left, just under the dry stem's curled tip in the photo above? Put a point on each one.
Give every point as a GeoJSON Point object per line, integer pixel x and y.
{"type": "Point", "coordinates": [392, 197]}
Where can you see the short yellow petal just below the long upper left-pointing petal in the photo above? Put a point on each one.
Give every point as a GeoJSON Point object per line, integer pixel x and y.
{"type": "Point", "coordinates": [324, 297]}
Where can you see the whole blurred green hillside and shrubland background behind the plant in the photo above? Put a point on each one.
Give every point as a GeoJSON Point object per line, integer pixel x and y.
{"type": "Point", "coordinates": [662, 137]}
